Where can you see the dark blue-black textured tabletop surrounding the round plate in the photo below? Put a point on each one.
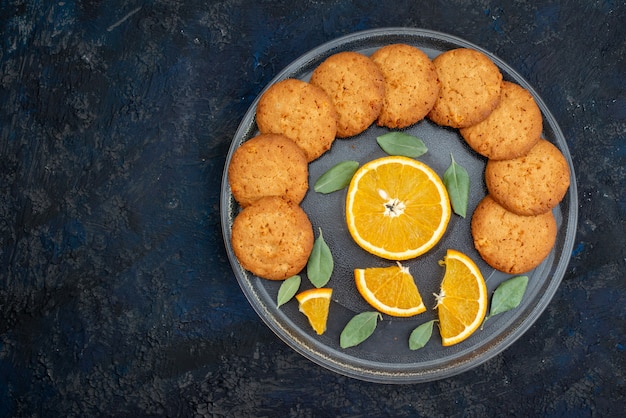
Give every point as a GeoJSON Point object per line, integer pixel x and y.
{"type": "Point", "coordinates": [116, 297]}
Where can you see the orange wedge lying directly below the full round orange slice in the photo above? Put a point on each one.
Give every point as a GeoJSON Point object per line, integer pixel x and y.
{"type": "Point", "coordinates": [390, 290]}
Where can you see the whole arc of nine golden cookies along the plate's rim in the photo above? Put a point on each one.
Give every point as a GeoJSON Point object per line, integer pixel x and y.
{"type": "Point", "coordinates": [397, 86]}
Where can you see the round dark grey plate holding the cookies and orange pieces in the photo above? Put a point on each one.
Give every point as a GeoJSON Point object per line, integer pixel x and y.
{"type": "Point", "coordinates": [385, 356]}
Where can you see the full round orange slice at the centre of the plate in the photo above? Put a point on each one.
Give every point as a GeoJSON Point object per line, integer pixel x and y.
{"type": "Point", "coordinates": [397, 208]}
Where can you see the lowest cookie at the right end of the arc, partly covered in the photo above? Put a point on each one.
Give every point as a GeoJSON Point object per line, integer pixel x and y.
{"type": "Point", "coordinates": [512, 243]}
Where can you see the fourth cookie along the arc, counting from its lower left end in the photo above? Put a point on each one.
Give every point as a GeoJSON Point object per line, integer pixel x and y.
{"type": "Point", "coordinates": [356, 87]}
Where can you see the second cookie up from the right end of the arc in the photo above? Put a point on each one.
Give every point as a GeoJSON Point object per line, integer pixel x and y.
{"type": "Point", "coordinates": [532, 184]}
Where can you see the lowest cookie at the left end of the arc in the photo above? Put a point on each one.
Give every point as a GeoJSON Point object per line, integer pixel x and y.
{"type": "Point", "coordinates": [272, 238]}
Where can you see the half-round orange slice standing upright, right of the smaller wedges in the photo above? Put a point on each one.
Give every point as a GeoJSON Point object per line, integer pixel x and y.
{"type": "Point", "coordinates": [462, 301]}
